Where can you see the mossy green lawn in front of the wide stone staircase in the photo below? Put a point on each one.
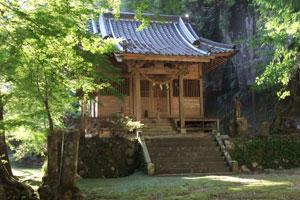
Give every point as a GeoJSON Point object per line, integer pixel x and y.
{"type": "Point", "coordinates": [284, 184]}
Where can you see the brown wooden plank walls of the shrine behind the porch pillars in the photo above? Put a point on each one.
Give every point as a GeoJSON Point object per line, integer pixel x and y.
{"type": "Point", "coordinates": [192, 99]}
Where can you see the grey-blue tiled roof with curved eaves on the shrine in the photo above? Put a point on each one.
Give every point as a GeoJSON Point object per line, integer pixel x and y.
{"type": "Point", "coordinates": [171, 37]}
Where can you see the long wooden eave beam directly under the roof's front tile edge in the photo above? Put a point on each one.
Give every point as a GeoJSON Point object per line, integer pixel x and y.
{"type": "Point", "coordinates": [130, 56]}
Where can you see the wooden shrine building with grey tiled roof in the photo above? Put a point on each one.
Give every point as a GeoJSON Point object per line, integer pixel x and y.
{"type": "Point", "coordinates": [163, 67]}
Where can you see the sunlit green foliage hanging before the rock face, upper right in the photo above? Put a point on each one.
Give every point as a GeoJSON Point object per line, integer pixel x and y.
{"type": "Point", "coordinates": [280, 28]}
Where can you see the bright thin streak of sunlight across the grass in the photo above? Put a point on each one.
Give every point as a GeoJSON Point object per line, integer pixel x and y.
{"type": "Point", "coordinates": [246, 181]}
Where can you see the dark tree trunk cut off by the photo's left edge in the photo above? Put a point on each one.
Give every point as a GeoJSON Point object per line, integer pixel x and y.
{"type": "Point", "coordinates": [3, 145]}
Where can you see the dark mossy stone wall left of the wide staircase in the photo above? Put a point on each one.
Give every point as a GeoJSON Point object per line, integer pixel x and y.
{"type": "Point", "coordinates": [108, 157]}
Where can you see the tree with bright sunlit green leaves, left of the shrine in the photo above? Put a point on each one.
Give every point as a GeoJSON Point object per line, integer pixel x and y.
{"type": "Point", "coordinates": [47, 55]}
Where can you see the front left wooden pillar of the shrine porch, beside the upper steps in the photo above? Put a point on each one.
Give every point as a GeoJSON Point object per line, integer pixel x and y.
{"type": "Point", "coordinates": [137, 96]}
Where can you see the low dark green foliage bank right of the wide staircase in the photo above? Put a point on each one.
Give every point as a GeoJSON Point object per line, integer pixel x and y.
{"type": "Point", "coordinates": [268, 152]}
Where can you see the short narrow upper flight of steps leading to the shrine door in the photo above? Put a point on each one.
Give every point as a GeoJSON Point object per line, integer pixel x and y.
{"type": "Point", "coordinates": [155, 127]}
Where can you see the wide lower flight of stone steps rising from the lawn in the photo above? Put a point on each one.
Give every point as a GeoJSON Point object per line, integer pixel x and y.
{"type": "Point", "coordinates": [185, 154]}
